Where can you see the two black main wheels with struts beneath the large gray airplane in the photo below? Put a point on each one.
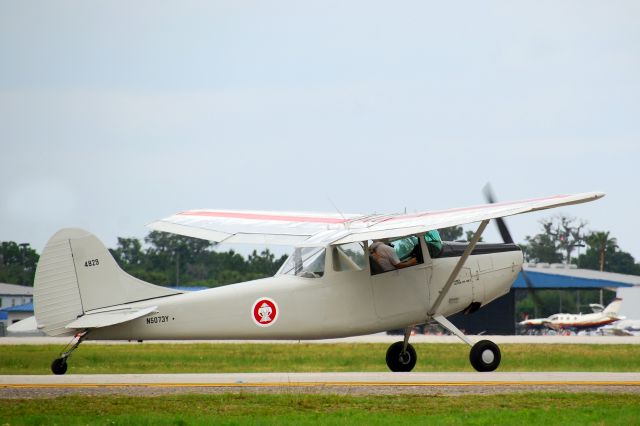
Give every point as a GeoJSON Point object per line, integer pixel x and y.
{"type": "Point", "coordinates": [484, 355]}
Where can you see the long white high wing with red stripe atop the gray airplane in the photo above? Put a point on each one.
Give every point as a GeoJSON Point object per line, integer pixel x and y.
{"type": "Point", "coordinates": [307, 229]}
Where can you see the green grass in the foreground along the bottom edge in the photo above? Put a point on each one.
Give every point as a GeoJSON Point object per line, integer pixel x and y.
{"type": "Point", "coordinates": [538, 408]}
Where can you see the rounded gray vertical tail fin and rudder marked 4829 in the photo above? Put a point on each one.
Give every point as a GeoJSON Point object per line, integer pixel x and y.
{"type": "Point", "coordinates": [76, 274]}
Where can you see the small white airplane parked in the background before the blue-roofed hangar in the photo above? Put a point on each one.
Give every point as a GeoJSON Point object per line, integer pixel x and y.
{"type": "Point", "coordinates": [601, 316]}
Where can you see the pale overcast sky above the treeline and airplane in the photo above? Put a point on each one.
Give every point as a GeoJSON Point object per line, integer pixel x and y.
{"type": "Point", "coordinates": [117, 113]}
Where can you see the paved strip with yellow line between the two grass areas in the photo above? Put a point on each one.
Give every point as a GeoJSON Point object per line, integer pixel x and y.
{"type": "Point", "coordinates": [386, 383]}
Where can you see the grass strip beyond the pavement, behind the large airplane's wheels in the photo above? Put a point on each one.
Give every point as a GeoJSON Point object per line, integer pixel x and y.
{"type": "Point", "coordinates": [225, 358]}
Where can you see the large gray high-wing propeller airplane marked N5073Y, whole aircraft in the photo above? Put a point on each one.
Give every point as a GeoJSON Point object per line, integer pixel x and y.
{"type": "Point", "coordinates": [329, 287]}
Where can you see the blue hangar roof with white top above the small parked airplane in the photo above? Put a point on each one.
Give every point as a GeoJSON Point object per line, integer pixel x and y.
{"type": "Point", "coordinates": [561, 277]}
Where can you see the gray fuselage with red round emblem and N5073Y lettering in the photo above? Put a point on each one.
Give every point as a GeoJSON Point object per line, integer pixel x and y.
{"type": "Point", "coordinates": [337, 304]}
